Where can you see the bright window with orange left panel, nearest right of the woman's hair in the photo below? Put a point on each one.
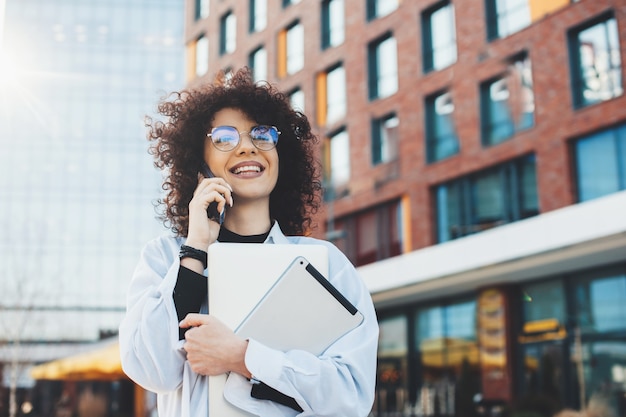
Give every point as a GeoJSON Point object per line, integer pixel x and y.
{"type": "Point", "coordinates": [331, 96]}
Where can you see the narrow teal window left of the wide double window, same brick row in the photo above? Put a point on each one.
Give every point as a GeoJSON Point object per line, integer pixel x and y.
{"type": "Point", "coordinates": [441, 138]}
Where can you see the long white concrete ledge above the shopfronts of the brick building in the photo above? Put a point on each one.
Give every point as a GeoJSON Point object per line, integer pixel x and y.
{"type": "Point", "coordinates": [575, 237]}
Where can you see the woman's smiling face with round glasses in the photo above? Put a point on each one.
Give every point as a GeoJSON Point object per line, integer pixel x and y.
{"type": "Point", "coordinates": [252, 173]}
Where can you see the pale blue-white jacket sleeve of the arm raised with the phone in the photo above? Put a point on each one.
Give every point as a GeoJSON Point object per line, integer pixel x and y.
{"type": "Point", "coordinates": [150, 349]}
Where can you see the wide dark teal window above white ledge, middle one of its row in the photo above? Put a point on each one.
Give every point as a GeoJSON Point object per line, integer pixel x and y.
{"type": "Point", "coordinates": [486, 199]}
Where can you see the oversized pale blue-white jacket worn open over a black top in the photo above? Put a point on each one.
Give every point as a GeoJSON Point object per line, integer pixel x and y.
{"type": "Point", "coordinates": [339, 382]}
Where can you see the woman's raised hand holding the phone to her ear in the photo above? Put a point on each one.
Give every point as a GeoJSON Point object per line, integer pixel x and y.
{"type": "Point", "coordinates": [202, 230]}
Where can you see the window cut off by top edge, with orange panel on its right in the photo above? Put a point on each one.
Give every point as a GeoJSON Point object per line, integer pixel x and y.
{"type": "Point", "coordinates": [505, 17]}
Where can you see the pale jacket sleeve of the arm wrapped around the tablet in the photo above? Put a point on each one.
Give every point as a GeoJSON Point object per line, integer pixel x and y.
{"type": "Point", "coordinates": [340, 382]}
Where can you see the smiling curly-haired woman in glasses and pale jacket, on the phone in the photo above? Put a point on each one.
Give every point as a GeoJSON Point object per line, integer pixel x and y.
{"type": "Point", "coordinates": [256, 164]}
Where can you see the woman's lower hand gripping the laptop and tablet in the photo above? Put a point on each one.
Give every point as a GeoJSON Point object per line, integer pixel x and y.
{"type": "Point", "coordinates": [212, 348]}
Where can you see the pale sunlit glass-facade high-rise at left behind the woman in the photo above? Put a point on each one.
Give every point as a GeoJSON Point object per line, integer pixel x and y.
{"type": "Point", "coordinates": [77, 185]}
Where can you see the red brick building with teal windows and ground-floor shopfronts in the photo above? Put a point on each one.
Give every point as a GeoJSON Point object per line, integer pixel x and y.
{"type": "Point", "coordinates": [474, 156]}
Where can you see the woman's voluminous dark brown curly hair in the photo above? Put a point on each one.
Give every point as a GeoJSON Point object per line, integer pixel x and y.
{"type": "Point", "coordinates": [178, 148]}
